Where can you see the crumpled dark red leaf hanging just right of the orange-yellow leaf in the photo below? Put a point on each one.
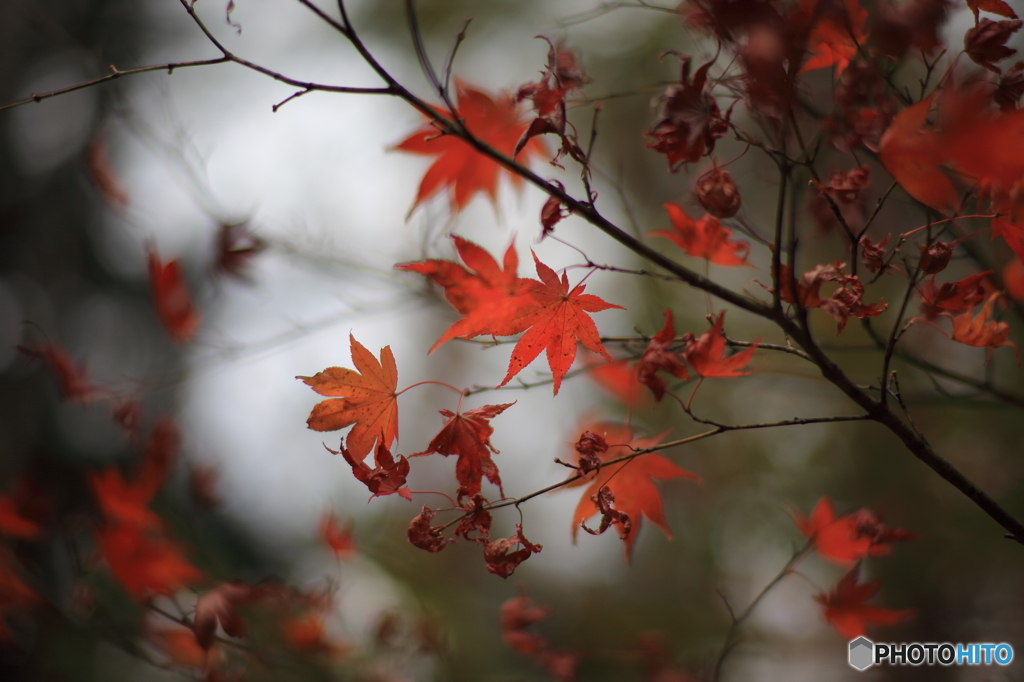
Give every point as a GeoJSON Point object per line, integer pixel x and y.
{"type": "Point", "coordinates": [468, 436]}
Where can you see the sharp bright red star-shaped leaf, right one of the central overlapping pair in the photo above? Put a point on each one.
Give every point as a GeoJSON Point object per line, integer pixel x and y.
{"type": "Point", "coordinates": [560, 320]}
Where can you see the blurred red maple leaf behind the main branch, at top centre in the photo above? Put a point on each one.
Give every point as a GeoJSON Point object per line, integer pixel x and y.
{"type": "Point", "coordinates": [461, 168]}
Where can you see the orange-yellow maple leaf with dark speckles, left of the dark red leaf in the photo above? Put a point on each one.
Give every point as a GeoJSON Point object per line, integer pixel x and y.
{"type": "Point", "coordinates": [365, 397]}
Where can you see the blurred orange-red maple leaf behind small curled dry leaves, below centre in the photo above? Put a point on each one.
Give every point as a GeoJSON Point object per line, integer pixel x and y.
{"type": "Point", "coordinates": [631, 482]}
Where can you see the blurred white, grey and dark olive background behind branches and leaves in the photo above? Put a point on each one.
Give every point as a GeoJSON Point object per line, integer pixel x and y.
{"type": "Point", "coordinates": [318, 182]}
